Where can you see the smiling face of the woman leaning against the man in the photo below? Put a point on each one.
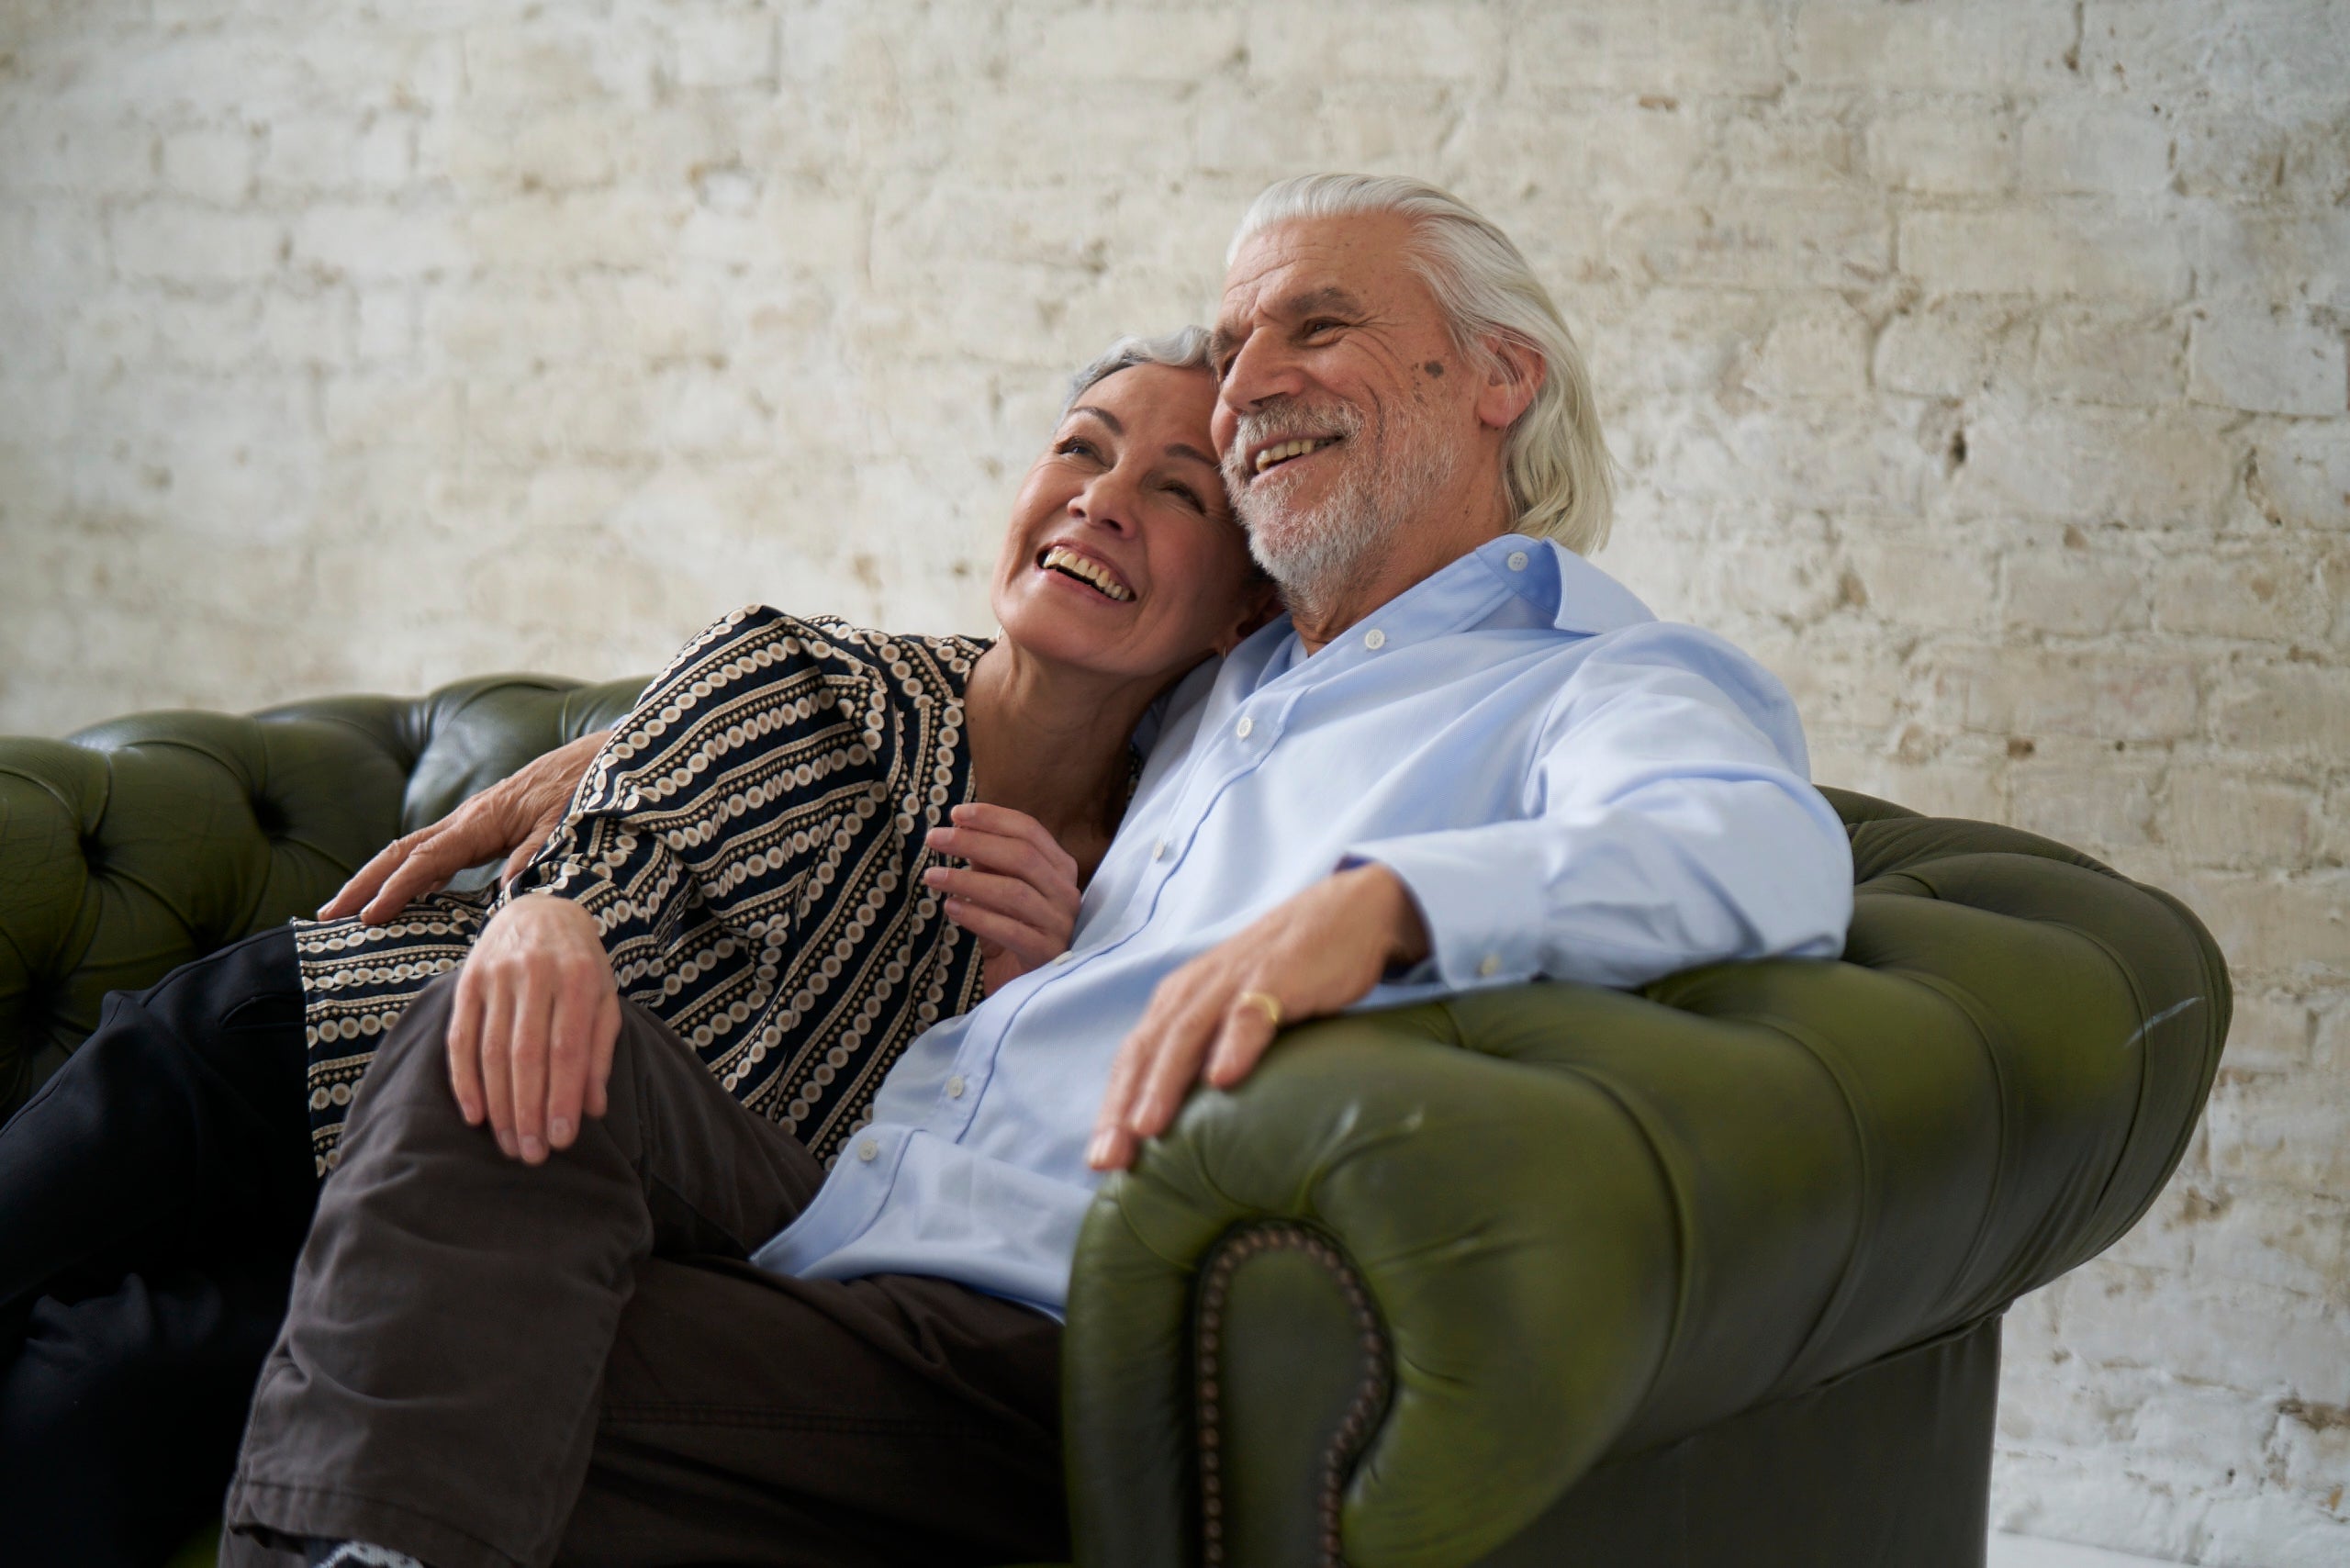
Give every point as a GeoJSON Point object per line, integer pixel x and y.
{"type": "Point", "coordinates": [1122, 554]}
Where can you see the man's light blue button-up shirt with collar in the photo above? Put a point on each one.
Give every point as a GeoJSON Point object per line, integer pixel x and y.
{"type": "Point", "coordinates": [1566, 784]}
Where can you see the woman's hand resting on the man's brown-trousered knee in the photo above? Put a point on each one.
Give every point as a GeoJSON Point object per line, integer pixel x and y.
{"type": "Point", "coordinates": [537, 1017]}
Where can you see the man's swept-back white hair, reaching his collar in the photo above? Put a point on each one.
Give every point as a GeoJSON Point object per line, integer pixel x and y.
{"type": "Point", "coordinates": [1555, 457]}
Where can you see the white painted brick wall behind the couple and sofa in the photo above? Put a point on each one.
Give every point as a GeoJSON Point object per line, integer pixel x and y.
{"type": "Point", "coordinates": [1982, 366]}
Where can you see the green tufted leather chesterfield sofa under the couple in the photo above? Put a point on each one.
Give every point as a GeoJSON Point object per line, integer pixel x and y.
{"type": "Point", "coordinates": [1698, 1278]}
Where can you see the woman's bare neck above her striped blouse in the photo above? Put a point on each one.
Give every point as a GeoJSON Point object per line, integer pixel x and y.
{"type": "Point", "coordinates": [1054, 742]}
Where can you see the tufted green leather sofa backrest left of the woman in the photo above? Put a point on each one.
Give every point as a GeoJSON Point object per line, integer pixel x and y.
{"type": "Point", "coordinates": [152, 840]}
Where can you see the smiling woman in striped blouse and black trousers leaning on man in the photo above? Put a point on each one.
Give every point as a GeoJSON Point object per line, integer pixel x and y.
{"type": "Point", "coordinates": [758, 859]}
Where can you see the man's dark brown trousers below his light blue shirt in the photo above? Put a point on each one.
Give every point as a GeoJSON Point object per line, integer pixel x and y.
{"type": "Point", "coordinates": [504, 1367]}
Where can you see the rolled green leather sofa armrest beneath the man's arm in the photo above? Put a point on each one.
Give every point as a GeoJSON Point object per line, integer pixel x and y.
{"type": "Point", "coordinates": [1590, 1224]}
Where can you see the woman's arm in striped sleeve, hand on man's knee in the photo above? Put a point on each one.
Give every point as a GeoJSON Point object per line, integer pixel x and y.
{"type": "Point", "coordinates": [671, 833]}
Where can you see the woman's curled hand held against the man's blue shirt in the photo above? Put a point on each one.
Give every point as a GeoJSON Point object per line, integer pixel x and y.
{"type": "Point", "coordinates": [1019, 894]}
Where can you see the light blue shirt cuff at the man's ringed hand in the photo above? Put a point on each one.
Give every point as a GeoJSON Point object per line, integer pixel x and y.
{"type": "Point", "coordinates": [1484, 923]}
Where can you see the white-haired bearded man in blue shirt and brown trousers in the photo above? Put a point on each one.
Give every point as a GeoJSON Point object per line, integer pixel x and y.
{"type": "Point", "coordinates": [1468, 758]}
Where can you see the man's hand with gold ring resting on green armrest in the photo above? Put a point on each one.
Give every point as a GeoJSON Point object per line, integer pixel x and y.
{"type": "Point", "coordinates": [1312, 956]}
